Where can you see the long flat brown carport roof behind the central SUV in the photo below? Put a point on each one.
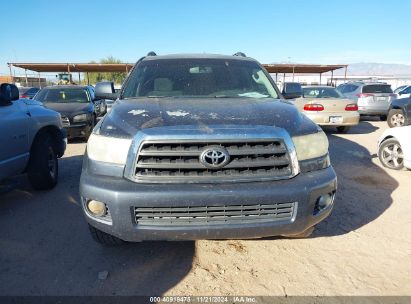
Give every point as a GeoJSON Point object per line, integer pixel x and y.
{"type": "Point", "coordinates": [125, 67]}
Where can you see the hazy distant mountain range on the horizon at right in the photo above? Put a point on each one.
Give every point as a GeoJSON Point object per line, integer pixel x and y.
{"type": "Point", "coordinates": [377, 69]}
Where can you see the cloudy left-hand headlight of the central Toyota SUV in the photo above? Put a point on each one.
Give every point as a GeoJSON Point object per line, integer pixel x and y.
{"type": "Point", "coordinates": [108, 149]}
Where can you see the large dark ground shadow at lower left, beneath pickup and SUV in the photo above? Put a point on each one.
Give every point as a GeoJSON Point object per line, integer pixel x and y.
{"type": "Point", "coordinates": [46, 248]}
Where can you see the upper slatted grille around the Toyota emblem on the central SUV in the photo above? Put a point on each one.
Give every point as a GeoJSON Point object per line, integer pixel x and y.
{"type": "Point", "coordinates": [179, 162]}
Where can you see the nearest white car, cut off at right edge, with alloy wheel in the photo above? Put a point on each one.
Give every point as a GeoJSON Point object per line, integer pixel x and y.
{"type": "Point", "coordinates": [395, 148]}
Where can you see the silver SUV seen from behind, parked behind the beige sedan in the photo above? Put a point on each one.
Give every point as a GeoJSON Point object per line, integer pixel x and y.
{"type": "Point", "coordinates": [372, 98]}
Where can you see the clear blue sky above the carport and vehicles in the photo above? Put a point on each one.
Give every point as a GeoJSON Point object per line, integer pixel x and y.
{"type": "Point", "coordinates": [323, 32]}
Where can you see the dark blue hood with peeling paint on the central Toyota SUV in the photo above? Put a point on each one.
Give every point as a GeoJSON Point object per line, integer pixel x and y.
{"type": "Point", "coordinates": [131, 115]}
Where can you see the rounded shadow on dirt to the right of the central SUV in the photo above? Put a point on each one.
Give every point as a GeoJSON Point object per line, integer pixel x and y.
{"type": "Point", "coordinates": [364, 189]}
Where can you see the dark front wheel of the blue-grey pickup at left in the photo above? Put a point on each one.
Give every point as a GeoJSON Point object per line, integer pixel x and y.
{"type": "Point", "coordinates": [42, 170]}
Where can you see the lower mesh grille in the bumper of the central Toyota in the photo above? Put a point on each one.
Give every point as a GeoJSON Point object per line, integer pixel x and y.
{"type": "Point", "coordinates": [214, 215]}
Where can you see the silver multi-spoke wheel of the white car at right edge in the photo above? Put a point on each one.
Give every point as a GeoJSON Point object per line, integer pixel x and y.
{"type": "Point", "coordinates": [391, 155]}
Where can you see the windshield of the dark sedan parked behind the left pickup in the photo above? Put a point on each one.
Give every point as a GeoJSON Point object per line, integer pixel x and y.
{"type": "Point", "coordinates": [68, 95]}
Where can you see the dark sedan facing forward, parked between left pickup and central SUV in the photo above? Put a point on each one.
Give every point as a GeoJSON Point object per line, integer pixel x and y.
{"type": "Point", "coordinates": [77, 105]}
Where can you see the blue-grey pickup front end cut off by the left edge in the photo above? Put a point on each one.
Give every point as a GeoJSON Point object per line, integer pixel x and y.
{"type": "Point", "coordinates": [32, 139]}
